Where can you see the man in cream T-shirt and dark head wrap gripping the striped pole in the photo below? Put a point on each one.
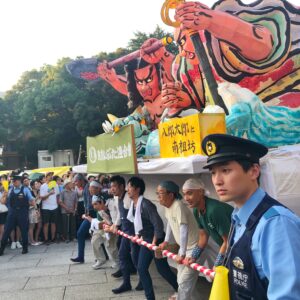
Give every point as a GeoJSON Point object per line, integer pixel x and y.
{"type": "Point", "coordinates": [183, 226]}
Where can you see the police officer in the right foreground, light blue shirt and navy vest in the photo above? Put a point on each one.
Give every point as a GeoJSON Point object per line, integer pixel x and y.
{"type": "Point", "coordinates": [263, 254]}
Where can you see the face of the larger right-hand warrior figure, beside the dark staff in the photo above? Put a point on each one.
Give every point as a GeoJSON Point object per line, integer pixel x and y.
{"type": "Point", "coordinates": [186, 48]}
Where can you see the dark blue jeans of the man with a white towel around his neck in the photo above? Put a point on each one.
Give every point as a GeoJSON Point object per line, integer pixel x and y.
{"type": "Point", "coordinates": [143, 259]}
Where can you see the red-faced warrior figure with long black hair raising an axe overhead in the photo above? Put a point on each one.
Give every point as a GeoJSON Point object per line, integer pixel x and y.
{"type": "Point", "coordinates": [145, 72]}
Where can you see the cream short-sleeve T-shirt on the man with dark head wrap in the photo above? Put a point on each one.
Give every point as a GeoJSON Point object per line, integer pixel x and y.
{"type": "Point", "coordinates": [178, 214]}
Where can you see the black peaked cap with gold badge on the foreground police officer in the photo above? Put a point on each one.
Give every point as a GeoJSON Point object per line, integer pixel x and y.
{"type": "Point", "coordinates": [223, 147]}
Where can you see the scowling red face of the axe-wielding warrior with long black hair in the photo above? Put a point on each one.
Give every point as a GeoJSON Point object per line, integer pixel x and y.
{"type": "Point", "coordinates": [147, 82]}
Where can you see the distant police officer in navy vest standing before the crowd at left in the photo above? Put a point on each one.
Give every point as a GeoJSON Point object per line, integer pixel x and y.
{"type": "Point", "coordinates": [18, 200]}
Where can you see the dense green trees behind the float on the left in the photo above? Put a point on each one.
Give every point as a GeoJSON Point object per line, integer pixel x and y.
{"type": "Point", "coordinates": [50, 109]}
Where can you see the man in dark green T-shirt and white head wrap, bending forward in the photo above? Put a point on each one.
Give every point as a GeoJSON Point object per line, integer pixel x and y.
{"type": "Point", "coordinates": [213, 218]}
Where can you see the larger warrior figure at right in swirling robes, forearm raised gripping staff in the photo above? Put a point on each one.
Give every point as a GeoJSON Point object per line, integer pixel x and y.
{"type": "Point", "coordinates": [256, 46]}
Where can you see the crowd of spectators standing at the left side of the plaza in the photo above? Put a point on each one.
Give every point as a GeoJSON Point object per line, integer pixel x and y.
{"type": "Point", "coordinates": [51, 210]}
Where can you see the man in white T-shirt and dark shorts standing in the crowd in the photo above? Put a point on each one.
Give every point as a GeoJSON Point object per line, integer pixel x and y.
{"type": "Point", "coordinates": [50, 197]}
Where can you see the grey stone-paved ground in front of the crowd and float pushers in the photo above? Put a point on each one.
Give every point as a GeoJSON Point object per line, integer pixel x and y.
{"type": "Point", "coordinates": [47, 273]}
